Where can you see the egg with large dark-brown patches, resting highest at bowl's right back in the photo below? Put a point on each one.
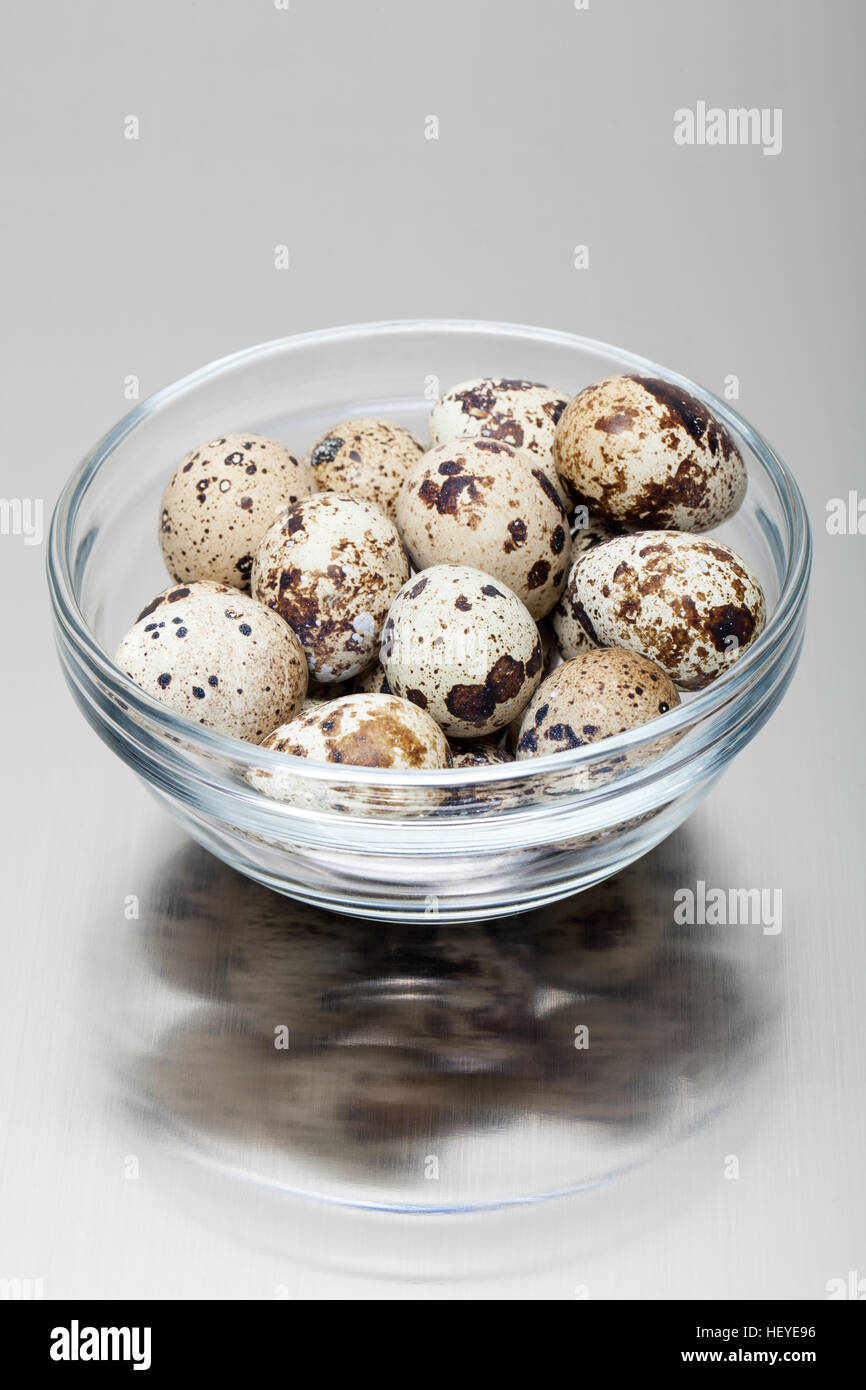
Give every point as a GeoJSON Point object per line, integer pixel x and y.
{"type": "Point", "coordinates": [644, 452]}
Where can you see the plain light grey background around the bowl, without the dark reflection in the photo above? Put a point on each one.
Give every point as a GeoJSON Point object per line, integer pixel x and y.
{"type": "Point", "coordinates": [152, 256]}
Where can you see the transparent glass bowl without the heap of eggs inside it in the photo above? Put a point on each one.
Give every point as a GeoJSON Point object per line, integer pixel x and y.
{"type": "Point", "coordinates": [459, 844]}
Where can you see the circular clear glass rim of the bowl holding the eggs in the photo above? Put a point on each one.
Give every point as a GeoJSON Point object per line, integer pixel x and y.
{"type": "Point", "coordinates": [251, 757]}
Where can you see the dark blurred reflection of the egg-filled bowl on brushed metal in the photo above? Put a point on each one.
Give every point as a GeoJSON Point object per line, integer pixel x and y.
{"type": "Point", "coordinates": [432, 1040]}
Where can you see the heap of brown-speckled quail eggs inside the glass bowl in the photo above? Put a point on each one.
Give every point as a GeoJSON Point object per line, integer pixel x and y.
{"type": "Point", "coordinates": [539, 579]}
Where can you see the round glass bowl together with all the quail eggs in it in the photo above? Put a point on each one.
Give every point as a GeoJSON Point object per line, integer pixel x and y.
{"type": "Point", "coordinates": [459, 660]}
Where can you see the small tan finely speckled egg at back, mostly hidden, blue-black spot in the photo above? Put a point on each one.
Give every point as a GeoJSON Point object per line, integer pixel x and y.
{"type": "Point", "coordinates": [365, 459]}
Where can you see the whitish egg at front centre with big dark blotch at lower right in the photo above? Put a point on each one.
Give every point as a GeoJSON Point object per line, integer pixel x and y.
{"type": "Point", "coordinates": [461, 646]}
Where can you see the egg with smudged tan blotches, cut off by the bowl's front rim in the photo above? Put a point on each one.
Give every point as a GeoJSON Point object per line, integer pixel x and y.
{"type": "Point", "coordinates": [366, 732]}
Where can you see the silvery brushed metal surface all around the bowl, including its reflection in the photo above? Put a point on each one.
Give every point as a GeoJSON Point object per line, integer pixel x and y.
{"type": "Point", "coordinates": [154, 1140]}
